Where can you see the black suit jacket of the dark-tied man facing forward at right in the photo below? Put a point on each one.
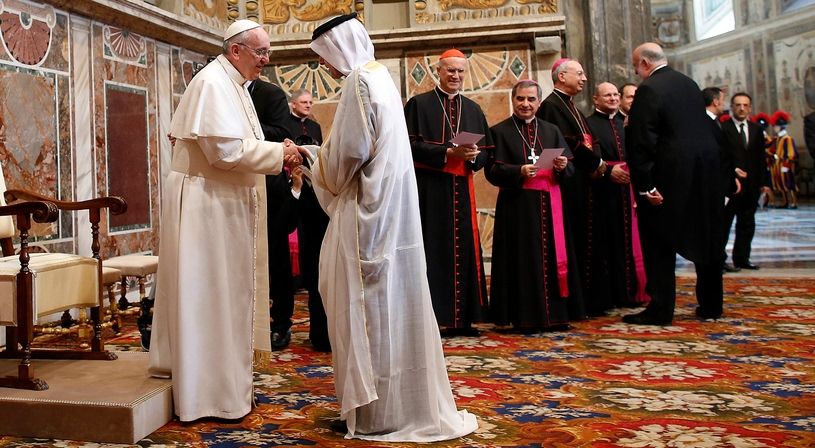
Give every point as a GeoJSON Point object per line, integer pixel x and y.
{"type": "Point", "coordinates": [751, 159]}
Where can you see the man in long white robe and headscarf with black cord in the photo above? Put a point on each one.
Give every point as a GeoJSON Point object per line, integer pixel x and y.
{"type": "Point", "coordinates": [389, 369]}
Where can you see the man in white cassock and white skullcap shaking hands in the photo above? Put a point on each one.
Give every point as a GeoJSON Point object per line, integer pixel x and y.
{"type": "Point", "coordinates": [211, 278]}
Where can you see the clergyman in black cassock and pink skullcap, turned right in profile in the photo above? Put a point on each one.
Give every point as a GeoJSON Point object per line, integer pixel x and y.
{"type": "Point", "coordinates": [587, 287]}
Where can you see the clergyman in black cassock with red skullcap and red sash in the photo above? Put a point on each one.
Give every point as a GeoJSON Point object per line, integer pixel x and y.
{"type": "Point", "coordinates": [446, 194]}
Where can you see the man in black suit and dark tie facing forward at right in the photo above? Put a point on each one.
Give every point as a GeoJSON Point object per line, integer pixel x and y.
{"type": "Point", "coordinates": [745, 141]}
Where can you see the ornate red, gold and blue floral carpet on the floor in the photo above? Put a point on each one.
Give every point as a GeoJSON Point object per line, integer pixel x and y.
{"type": "Point", "coordinates": [747, 380]}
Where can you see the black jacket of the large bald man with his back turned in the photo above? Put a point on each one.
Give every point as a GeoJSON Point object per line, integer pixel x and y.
{"type": "Point", "coordinates": [671, 147]}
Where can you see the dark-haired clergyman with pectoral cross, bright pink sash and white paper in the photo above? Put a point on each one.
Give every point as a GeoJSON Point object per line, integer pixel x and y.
{"type": "Point", "coordinates": [527, 289]}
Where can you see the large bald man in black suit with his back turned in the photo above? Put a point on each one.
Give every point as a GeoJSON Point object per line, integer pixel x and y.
{"type": "Point", "coordinates": [675, 169]}
